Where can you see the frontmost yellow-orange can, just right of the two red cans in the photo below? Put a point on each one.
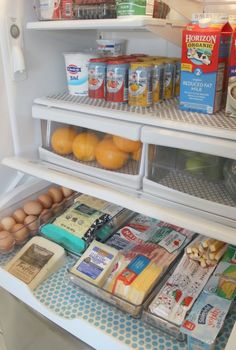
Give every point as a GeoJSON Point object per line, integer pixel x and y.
{"type": "Point", "coordinates": [140, 84]}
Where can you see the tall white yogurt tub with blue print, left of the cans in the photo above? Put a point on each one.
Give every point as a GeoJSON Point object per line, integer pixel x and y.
{"type": "Point", "coordinates": [77, 72]}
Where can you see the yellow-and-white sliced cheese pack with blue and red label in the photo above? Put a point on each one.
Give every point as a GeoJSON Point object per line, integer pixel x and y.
{"type": "Point", "coordinates": [137, 279]}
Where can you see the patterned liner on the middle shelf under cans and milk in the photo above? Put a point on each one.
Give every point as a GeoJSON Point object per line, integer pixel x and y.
{"type": "Point", "coordinates": [167, 110]}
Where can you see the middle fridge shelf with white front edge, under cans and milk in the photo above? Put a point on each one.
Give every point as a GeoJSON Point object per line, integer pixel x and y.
{"type": "Point", "coordinates": [165, 115]}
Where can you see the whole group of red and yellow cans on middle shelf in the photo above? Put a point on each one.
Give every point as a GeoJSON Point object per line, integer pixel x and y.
{"type": "Point", "coordinates": [139, 80]}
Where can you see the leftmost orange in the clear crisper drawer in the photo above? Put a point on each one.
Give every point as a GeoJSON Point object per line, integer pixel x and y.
{"type": "Point", "coordinates": [62, 139]}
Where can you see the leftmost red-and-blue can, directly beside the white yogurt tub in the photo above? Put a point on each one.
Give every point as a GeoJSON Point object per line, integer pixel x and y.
{"type": "Point", "coordinates": [97, 78]}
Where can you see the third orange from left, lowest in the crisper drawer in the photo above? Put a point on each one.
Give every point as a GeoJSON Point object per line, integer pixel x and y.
{"type": "Point", "coordinates": [109, 156]}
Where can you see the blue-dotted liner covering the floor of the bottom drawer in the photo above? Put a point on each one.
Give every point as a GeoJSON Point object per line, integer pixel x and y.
{"type": "Point", "coordinates": [72, 302]}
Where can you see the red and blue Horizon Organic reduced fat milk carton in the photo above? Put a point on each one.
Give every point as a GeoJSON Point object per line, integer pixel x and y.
{"type": "Point", "coordinates": [205, 51]}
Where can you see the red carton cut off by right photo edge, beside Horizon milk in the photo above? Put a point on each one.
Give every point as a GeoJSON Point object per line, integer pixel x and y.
{"type": "Point", "coordinates": [231, 89]}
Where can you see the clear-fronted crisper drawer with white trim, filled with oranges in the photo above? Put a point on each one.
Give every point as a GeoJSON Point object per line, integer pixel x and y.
{"type": "Point", "coordinates": [107, 149]}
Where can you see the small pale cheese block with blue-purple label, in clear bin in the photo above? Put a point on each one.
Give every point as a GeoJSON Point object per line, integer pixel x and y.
{"type": "Point", "coordinates": [96, 263]}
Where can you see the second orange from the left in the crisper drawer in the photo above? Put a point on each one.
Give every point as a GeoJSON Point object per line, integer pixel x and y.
{"type": "Point", "coordinates": [84, 146]}
